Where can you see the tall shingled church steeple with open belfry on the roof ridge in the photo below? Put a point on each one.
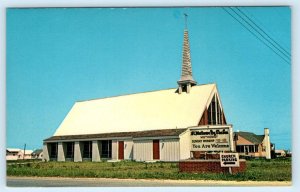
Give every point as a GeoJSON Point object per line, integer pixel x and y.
{"type": "Point", "coordinates": [186, 81]}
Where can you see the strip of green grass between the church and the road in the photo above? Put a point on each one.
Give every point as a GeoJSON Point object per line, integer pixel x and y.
{"type": "Point", "coordinates": [257, 170]}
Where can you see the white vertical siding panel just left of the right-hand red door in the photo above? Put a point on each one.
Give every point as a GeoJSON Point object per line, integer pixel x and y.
{"type": "Point", "coordinates": [143, 150]}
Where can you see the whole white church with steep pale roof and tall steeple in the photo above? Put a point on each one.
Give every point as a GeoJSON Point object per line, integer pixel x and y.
{"type": "Point", "coordinates": [148, 126]}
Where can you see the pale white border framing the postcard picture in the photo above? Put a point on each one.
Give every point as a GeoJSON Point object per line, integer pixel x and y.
{"type": "Point", "coordinates": [295, 5]}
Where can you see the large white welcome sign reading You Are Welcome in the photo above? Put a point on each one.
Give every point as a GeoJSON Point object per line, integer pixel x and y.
{"type": "Point", "coordinates": [210, 139]}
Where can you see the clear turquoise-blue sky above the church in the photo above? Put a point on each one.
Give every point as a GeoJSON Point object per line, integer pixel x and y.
{"type": "Point", "coordinates": [57, 56]}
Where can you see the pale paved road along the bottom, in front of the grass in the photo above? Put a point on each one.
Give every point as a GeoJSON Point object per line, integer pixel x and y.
{"type": "Point", "coordinates": [102, 182]}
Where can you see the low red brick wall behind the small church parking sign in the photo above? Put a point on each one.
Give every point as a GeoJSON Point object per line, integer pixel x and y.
{"type": "Point", "coordinates": [209, 166]}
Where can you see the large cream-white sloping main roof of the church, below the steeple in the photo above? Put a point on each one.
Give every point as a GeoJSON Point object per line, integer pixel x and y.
{"type": "Point", "coordinates": [164, 109]}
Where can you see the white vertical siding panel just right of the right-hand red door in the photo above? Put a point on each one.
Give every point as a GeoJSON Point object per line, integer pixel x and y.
{"type": "Point", "coordinates": [169, 149]}
